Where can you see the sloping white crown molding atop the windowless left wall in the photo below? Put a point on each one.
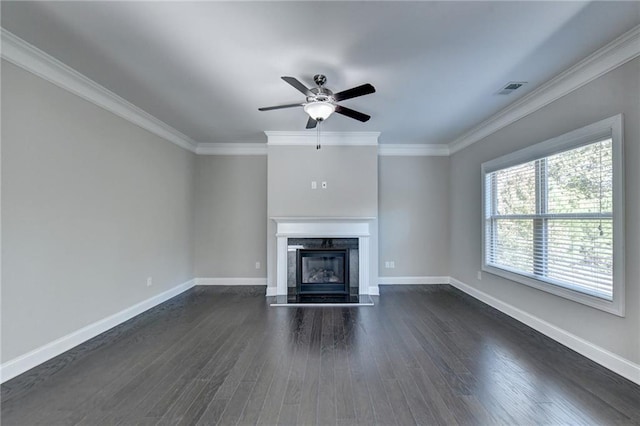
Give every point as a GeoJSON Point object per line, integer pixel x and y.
{"type": "Point", "coordinates": [34, 60]}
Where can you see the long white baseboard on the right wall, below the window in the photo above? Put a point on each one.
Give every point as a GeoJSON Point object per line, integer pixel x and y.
{"type": "Point", "coordinates": [607, 359]}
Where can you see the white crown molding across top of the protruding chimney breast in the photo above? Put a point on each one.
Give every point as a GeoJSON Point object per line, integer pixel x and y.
{"type": "Point", "coordinates": [326, 138]}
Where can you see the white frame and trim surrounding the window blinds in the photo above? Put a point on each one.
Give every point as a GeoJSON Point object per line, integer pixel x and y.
{"type": "Point", "coordinates": [608, 128]}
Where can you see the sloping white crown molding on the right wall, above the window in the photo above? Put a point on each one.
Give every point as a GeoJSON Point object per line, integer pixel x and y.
{"type": "Point", "coordinates": [621, 50]}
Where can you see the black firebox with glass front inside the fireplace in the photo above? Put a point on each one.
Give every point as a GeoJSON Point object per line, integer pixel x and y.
{"type": "Point", "coordinates": [322, 271]}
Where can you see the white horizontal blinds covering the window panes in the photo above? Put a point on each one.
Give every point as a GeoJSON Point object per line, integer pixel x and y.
{"type": "Point", "coordinates": [551, 219]}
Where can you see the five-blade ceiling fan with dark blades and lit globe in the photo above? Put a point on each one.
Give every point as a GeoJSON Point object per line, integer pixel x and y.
{"type": "Point", "coordinates": [322, 102]}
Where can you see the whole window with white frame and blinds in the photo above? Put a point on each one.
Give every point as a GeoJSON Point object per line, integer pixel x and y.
{"type": "Point", "coordinates": [553, 216]}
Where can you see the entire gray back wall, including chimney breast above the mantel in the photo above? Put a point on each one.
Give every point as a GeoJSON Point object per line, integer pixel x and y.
{"type": "Point", "coordinates": [231, 207]}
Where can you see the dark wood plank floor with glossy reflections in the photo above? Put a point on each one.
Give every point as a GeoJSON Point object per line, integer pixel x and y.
{"type": "Point", "coordinates": [220, 355]}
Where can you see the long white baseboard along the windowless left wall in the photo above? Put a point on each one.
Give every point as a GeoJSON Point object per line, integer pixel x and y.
{"type": "Point", "coordinates": [22, 363]}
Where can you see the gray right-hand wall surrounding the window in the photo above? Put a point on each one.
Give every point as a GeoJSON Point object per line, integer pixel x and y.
{"type": "Point", "coordinates": [614, 93]}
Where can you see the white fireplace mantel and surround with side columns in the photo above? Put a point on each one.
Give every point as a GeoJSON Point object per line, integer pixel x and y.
{"type": "Point", "coordinates": [323, 227]}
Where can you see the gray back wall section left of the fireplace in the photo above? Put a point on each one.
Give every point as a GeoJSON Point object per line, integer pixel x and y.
{"type": "Point", "coordinates": [230, 216]}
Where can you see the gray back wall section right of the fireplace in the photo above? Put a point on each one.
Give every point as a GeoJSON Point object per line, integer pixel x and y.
{"type": "Point", "coordinates": [414, 216]}
